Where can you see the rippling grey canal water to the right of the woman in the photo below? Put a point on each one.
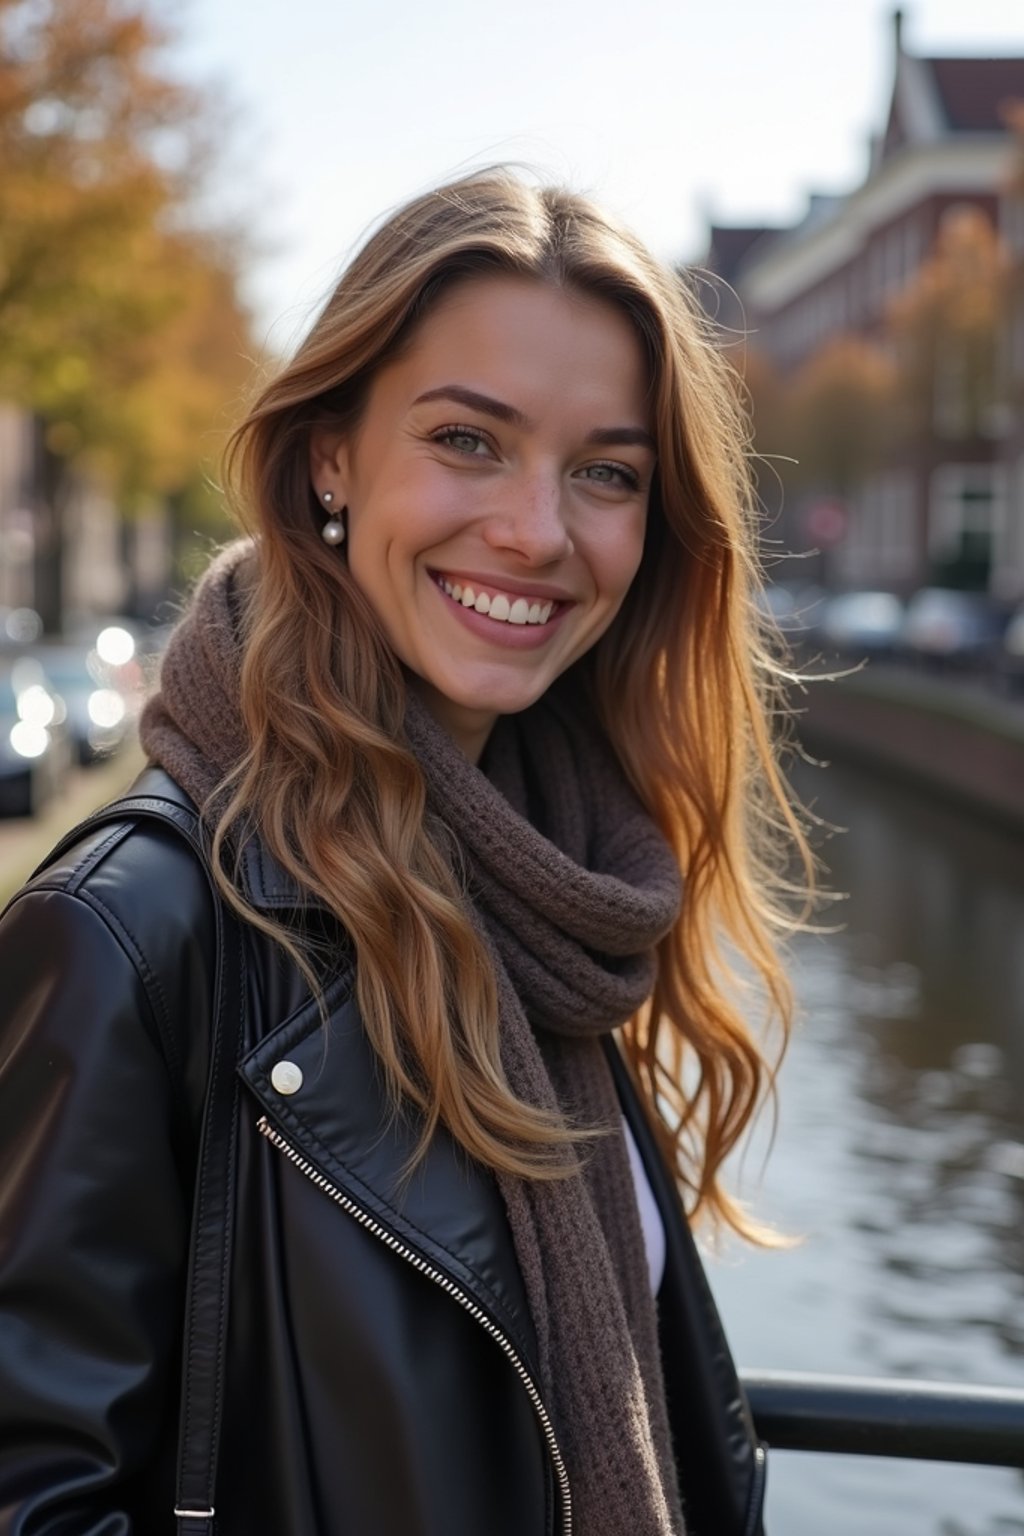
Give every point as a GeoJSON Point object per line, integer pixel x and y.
{"type": "Point", "coordinates": [899, 1157]}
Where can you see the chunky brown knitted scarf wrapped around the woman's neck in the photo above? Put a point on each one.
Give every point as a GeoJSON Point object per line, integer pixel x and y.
{"type": "Point", "coordinates": [573, 887]}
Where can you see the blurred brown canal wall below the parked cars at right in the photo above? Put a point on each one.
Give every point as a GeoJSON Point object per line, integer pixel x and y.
{"type": "Point", "coordinates": [950, 735]}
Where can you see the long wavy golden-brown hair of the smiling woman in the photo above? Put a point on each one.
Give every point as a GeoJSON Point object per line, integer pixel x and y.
{"type": "Point", "coordinates": [684, 684]}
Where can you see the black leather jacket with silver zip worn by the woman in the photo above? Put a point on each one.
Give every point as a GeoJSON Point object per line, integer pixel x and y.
{"type": "Point", "coordinates": [382, 1360]}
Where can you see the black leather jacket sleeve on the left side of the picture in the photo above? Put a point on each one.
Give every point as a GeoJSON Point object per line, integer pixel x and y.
{"type": "Point", "coordinates": [93, 1226]}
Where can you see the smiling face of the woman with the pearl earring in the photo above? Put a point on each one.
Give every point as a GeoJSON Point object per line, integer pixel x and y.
{"type": "Point", "coordinates": [497, 494]}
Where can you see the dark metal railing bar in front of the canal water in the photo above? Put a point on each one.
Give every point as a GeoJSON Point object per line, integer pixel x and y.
{"type": "Point", "coordinates": [867, 1417]}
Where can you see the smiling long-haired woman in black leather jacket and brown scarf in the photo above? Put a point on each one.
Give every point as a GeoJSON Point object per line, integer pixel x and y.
{"type": "Point", "coordinates": [481, 690]}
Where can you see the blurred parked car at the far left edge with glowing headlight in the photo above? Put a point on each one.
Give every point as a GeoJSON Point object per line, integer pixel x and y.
{"type": "Point", "coordinates": [35, 744]}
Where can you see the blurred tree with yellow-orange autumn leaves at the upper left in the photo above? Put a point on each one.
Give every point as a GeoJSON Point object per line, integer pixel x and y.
{"type": "Point", "coordinates": [119, 308]}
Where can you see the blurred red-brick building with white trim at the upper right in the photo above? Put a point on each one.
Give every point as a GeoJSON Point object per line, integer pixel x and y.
{"type": "Point", "coordinates": [945, 147]}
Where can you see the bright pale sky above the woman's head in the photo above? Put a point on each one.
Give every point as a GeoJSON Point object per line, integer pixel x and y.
{"type": "Point", "coordinates": [664, 110]}
